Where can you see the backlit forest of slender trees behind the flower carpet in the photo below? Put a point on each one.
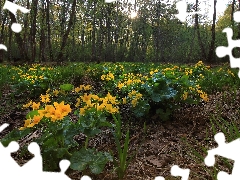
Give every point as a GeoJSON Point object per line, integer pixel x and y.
{"type": "Point", "coordinates": [95, 31]}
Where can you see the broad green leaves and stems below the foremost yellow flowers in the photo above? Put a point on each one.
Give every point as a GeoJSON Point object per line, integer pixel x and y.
{"type": "Point", "coordinates": [57, 142]}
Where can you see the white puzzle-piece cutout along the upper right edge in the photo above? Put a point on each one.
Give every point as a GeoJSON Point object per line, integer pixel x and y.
{"type": "Point", "coordinates": [223, 51]}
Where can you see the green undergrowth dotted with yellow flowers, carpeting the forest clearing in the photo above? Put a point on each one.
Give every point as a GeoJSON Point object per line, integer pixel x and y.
{"type": "Point", "coordinates": [98, 93]}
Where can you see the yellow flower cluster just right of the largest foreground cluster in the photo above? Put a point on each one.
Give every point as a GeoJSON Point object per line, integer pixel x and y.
{"type": "Point", "coordinates": [89, 101]}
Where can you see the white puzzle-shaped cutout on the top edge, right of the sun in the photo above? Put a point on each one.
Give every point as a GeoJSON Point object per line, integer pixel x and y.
{"type": "Point", "coordinates": [182, 11]}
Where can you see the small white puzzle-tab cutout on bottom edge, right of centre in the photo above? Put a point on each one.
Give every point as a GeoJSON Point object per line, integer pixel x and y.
{"type": "Point", "coordinates": [177, 171]}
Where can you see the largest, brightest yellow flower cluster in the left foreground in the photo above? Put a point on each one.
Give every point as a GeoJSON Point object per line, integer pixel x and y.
{"type": "Point", "coordinates": [56, 112]}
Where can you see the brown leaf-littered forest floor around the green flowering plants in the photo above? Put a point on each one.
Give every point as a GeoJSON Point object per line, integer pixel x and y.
{"type": "Point", "coordinates": [162, 146]}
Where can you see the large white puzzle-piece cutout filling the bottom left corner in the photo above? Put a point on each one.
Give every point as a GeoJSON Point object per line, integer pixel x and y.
{"type": "Point", "coordinates": [10, 169]}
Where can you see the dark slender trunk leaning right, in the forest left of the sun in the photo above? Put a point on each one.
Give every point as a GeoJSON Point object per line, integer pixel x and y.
{"type": "Point", "coordinates": [69, 27]}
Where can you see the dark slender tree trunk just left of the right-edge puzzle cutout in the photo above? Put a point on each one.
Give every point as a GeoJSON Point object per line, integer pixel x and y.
{"type": "Point", "coordinates": [212, 45]}
